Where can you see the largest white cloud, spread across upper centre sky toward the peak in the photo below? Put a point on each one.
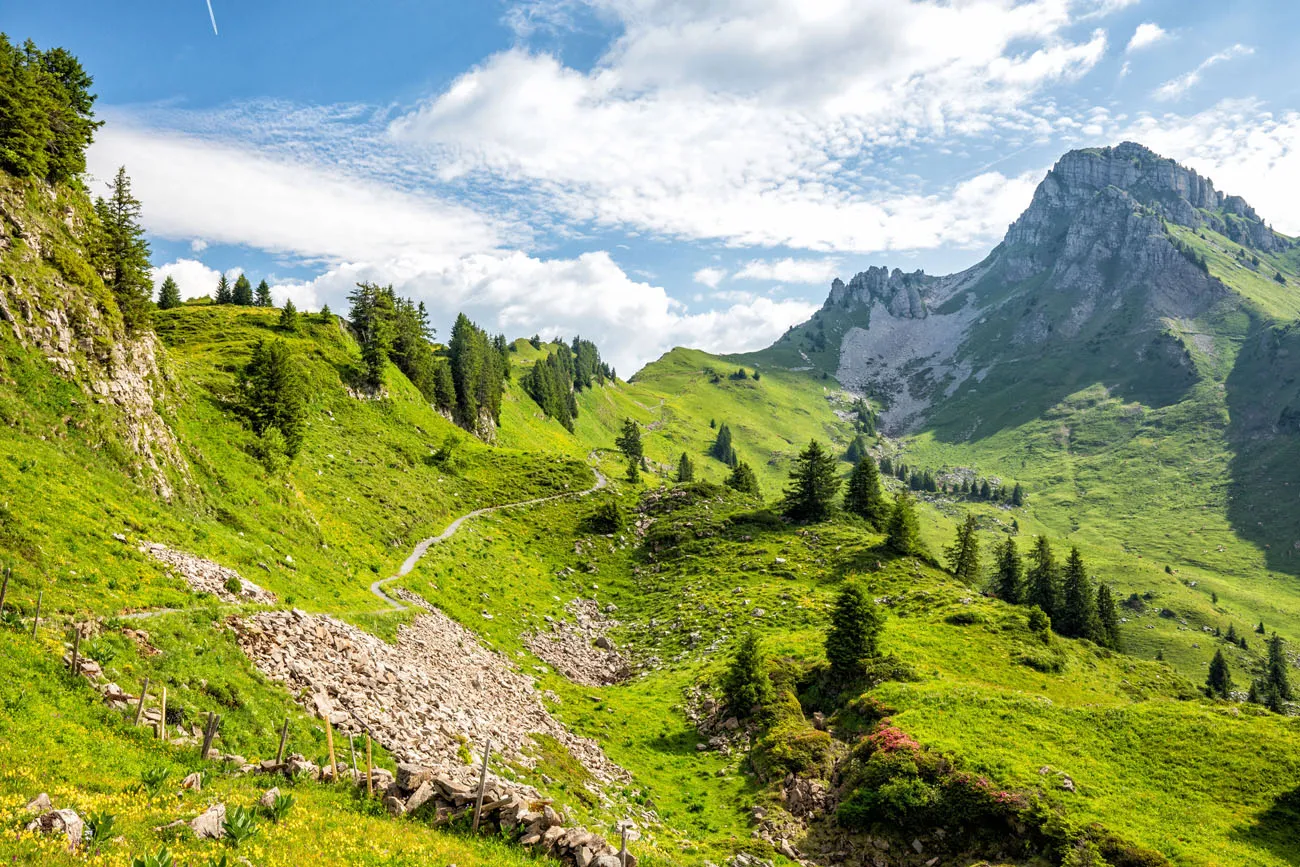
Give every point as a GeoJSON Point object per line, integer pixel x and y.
{"type": "Point", "coordinates": [756, 123]}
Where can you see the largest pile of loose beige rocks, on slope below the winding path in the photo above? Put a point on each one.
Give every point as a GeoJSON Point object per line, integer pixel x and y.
{"type": "Point", "coordinates": [422, 699]}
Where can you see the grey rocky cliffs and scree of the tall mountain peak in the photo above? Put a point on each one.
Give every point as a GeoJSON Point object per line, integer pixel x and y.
{"type": "Point", "coordinates": [1090, 261]}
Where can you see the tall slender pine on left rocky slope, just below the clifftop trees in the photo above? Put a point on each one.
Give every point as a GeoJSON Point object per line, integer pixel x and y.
{"type": "Point", "coordinates": [125, 255]}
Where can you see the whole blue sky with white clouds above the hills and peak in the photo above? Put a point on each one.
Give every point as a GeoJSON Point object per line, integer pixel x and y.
{"type": "Point", "coordinates": [649, 174]}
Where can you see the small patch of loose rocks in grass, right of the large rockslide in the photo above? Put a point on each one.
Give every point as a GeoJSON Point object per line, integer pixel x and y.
{"type": "Point", "coordinates": [580, 648]}
